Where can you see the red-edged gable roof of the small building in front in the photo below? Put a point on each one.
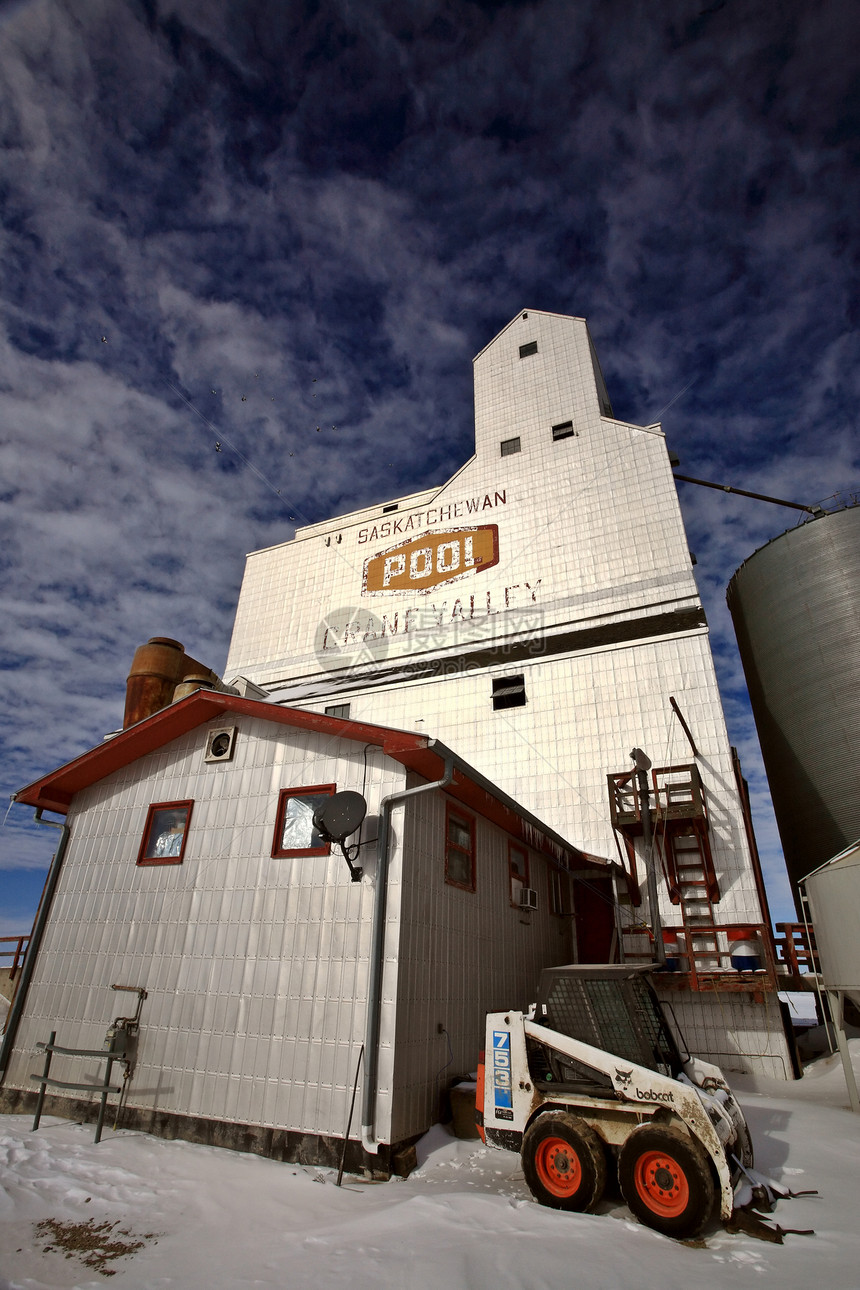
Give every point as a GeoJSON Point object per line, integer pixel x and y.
{"type": "Point", "coordinates": [418, 753]}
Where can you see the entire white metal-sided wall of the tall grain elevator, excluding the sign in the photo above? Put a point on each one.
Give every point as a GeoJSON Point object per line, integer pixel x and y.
{"type": "Point", "coordinates": [590, 535]}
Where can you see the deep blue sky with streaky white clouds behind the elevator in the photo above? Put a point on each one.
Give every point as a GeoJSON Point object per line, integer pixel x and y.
{"type": "Point", "coordinates": [234, 221]}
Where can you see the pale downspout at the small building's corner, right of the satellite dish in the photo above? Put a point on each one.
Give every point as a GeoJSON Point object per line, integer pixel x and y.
{"type": "Point", "coordinates": [378, 948]}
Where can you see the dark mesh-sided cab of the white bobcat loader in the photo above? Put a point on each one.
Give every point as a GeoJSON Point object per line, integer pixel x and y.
{"type": "Point", "coordinates": [614, 1008]}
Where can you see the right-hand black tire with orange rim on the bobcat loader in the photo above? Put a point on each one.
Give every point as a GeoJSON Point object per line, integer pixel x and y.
{"type": "Point", "coordinates": [667, 1181]}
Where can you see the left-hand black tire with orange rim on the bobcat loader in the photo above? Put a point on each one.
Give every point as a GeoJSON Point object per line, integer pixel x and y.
{"type": "Point", "coordinates": [564, 1162]}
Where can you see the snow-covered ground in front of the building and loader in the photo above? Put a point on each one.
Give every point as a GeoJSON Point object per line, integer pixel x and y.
{"type": "Point", "coordinates": [210, 1218]}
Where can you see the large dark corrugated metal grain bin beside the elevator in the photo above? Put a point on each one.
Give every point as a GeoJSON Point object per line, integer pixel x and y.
{"type": "Point", "coordinates": [796, 607]}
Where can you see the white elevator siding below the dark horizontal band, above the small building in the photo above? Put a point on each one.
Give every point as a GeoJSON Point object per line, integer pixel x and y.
{"type": "Point", "coordinates": [582, 718]}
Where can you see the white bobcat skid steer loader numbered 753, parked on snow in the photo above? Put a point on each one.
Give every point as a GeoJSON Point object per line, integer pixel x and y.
{"type": "Point", "coordinates": [592, 1079]}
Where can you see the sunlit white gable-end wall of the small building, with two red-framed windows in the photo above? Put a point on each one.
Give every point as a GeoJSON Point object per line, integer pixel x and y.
{"type": "Point", "coordinates": [257, 968]}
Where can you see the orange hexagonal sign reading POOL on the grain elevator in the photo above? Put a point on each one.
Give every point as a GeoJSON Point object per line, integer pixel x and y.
{"type": "Point", "coordinates": [433, 559]}
